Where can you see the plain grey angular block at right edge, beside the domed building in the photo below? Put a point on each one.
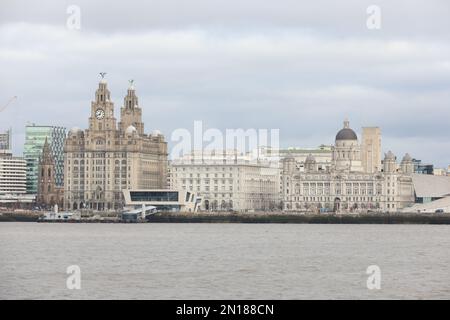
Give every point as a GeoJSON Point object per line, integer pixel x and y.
{"type": "Point", "coordinates": [426, 185]}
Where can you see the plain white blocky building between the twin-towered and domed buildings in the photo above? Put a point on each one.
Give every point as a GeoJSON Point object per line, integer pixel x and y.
{"type": "Point", "coordinates": [227, 180]}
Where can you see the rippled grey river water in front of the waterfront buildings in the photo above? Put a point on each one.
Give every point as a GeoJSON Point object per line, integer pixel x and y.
{"type": "Point", "coordinates": [224, 261]}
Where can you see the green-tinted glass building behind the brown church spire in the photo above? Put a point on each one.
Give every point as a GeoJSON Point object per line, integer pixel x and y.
{"type": "Point", "coordinates": [35, 136]}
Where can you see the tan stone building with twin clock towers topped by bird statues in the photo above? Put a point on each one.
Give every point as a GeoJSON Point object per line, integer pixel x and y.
{"type": "Point", "coordinates": [105, 158]}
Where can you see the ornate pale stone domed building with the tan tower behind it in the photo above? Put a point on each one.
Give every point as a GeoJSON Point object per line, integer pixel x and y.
{"type": "Point", "coordinates": [356, 180]}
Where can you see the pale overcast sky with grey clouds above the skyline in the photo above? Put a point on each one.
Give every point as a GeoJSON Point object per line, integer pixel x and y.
{"type": "Point", "coordinates": [298, 66]}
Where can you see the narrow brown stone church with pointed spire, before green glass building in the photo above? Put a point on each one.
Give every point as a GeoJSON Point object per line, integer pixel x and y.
{"type": "Point", "coordinates": [49, 193]}
